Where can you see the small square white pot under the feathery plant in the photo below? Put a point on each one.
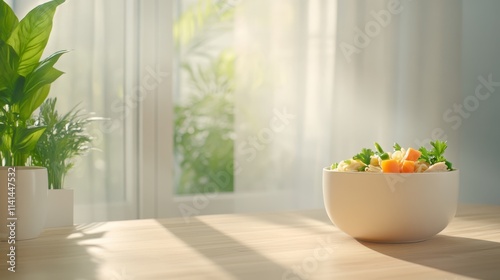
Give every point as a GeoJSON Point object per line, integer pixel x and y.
{"type": "Point", "coordinates": [60, 208]}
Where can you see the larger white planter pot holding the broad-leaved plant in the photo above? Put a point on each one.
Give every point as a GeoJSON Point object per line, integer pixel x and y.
{"type": "Point", "coordinates": [23, 206]}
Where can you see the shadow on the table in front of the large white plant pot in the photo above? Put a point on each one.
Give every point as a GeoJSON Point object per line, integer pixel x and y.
{"type": "Point", "coordinates": [59, 254]}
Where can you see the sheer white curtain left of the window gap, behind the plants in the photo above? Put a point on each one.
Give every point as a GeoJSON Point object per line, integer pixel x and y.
{"type": "Point", "coordinates": [101, 73]}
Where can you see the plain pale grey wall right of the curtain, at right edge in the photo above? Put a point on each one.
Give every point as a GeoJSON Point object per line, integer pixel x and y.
{"type": "Point", "coordinates": [480, 127]}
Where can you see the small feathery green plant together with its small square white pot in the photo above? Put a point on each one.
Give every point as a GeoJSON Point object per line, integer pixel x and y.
{"type": "Point", "coordinates": [64, 139]}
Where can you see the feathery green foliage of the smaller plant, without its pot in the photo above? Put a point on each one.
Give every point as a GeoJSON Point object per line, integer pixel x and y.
{"type": "Point", "coordinates": [64, 139]}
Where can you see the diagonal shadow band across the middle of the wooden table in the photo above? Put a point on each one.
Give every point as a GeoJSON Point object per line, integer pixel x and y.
{"type": "Point", "coordinates": [234, 257]}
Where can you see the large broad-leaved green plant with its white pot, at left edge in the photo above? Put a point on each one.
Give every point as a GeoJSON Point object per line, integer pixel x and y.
{"type": "Point", "coordinates": [25, 81]}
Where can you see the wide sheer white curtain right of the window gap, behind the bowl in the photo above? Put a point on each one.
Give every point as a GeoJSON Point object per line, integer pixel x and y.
{"type": "Point", "coordinates": [338, 76]}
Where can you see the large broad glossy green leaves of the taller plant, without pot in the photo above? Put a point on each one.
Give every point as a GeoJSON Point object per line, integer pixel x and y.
{"type": "Point", "coordinates": [24, 79]}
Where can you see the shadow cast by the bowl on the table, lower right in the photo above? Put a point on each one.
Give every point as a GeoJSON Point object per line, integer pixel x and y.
{"type": "Point", "coordinates": [463, 256]}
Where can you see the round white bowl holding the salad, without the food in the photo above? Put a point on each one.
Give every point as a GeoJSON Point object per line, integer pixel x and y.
{"type": "Point", "coordinates": [390, 207]}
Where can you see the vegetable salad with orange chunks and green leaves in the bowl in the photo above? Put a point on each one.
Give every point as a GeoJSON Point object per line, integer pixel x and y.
{"type": "Point", "coordinates": [400, 160]}
